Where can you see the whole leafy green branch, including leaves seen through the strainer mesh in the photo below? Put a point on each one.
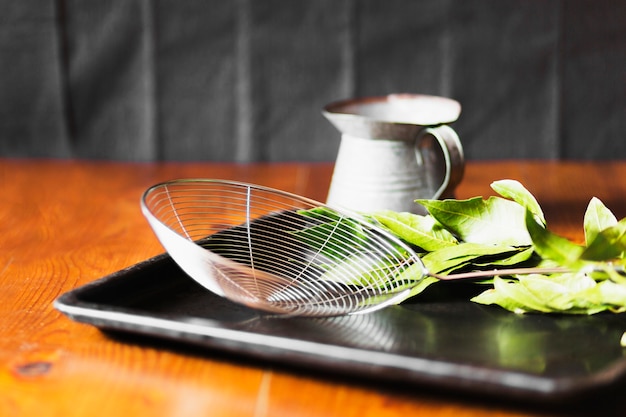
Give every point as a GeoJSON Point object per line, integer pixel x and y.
{"type": "Point", "coordinates": [538, 271]}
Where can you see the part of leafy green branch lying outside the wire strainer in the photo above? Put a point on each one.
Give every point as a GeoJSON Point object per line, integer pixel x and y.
{"type": "Point", "coordinates": [510, 231]}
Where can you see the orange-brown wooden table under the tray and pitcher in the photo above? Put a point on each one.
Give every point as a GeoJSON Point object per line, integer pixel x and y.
{"type": "Point", "coordinates": [66, 223]}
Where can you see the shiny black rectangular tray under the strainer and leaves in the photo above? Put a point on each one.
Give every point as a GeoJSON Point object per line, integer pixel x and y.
{"type": "Point", "coordinates": [439, 339]}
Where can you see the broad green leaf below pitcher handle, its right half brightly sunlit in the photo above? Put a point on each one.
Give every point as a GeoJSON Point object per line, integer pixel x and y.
{"type": "Point", "coordinates": [495, 221]}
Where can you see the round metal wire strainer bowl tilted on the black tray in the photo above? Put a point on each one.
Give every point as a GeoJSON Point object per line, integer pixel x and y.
{"type": "Point", "coordinates": [276, 251]}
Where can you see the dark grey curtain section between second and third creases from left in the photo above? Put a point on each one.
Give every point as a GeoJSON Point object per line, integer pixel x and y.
{"type": "Point", "coordinates": [195, 63]}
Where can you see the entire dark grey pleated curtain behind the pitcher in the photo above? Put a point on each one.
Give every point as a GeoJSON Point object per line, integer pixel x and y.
{"type": "Point", "coordinates": [245, 80]}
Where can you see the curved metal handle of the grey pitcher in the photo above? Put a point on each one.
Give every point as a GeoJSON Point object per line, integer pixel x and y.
{"type": "Point", "coordinates": [454, 159]}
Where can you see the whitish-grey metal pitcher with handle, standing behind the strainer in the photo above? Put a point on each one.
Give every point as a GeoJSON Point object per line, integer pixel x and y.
{"type": "Point", "coordinates": [394, 150]}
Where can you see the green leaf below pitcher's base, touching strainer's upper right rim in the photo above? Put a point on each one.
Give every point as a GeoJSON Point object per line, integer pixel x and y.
{"type": "Point", "coordinates": [421, 231]}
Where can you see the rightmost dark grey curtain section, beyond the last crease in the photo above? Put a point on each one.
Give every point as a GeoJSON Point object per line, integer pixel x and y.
{"type": "Point", "coordinates": [593, 79]}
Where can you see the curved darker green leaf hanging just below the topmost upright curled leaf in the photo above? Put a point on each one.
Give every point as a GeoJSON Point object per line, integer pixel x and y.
{"type": "Point", "coordinates": [551, 246]}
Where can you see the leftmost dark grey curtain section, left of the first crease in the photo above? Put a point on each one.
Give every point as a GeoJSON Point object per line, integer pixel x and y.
{"type": "Point", "coordinates": [32, 112]}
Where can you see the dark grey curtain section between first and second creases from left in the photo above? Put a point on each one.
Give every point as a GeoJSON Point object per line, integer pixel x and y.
{"type": "Point", "coordinates": [110, 94]}
